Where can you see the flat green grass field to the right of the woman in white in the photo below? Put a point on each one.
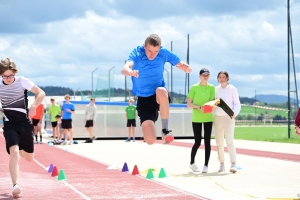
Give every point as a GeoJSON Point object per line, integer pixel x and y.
{"type": "Point", "coordinates": [267, 134]}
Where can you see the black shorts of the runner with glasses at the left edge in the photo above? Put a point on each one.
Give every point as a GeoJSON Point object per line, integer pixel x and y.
{"type": "Point", "coordinates": [19, 133]}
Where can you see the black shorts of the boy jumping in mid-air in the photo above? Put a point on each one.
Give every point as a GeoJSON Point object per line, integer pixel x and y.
{"type": "Point", "coordinates": [148, 108]}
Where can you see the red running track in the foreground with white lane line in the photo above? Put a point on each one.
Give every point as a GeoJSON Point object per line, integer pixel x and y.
{"type": "Point", "coordinates": [89, 179]}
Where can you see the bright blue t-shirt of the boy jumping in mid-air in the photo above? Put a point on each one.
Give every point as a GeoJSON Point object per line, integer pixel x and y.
{"type": "Point", "coordinates": [150, 71]}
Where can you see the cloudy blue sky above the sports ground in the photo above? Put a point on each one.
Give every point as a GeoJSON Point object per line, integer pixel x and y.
{"type": "Point", "coordinates": [65, 43]}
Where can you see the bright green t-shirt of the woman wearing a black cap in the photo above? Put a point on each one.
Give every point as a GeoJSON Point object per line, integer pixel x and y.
{"type": "Point", "coordinates": [200, 95]}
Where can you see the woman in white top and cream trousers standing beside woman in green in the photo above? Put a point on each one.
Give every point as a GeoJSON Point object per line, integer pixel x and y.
{"type": "Point", "coordinates": [223, 124]}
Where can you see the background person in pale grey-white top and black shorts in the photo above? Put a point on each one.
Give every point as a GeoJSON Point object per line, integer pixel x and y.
{"type": "Point", "coordinates": [90, 118]}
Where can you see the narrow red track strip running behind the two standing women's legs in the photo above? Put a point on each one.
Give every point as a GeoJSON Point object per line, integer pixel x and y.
{"type": "Point", "coordinates": [249, 152]}
